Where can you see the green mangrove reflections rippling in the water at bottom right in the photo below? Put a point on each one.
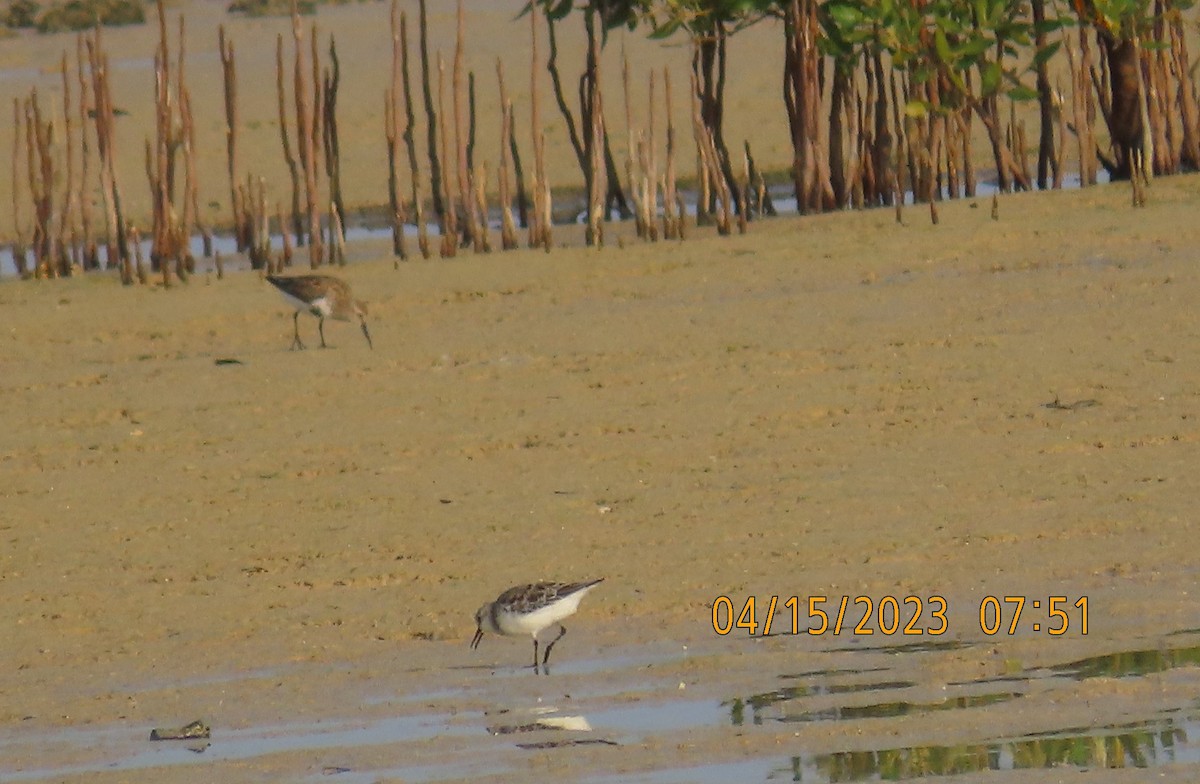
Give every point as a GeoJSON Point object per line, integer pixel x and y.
{"type": "Point", "coordinates": [1162, 739]}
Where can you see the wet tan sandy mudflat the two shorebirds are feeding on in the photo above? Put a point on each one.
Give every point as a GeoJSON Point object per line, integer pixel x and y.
{"type": "Point", "coordinates": [835, 406]}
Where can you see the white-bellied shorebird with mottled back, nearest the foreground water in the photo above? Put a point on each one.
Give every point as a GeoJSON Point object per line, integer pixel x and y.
{"type": "Point", "coordinates": [529, 609]}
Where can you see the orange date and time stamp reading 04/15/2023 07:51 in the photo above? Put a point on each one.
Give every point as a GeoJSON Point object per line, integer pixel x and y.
{"type": "Point", "coordinates": [889, 615]}
